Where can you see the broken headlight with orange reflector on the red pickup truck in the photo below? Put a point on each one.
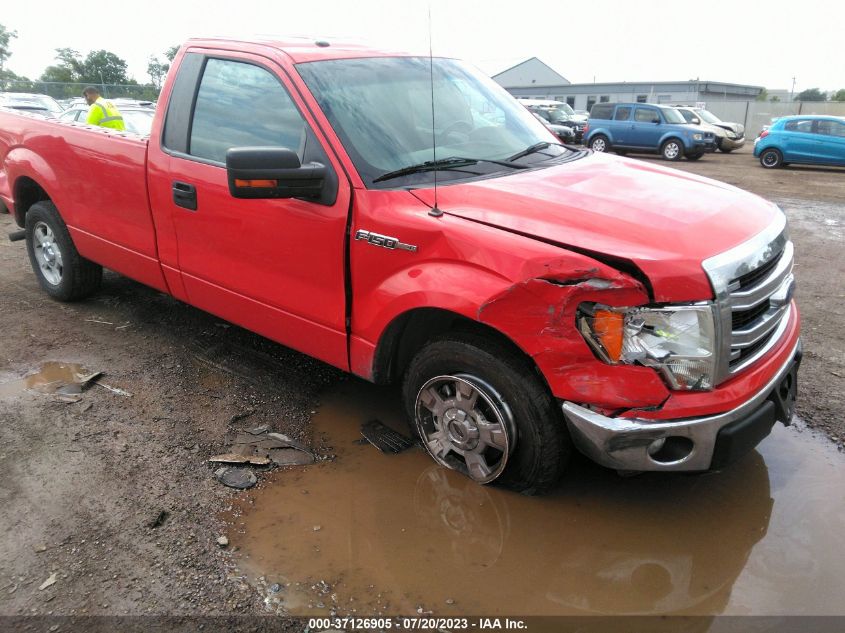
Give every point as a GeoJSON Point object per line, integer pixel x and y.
{"type": "Point", "coordinates": [678, 341]}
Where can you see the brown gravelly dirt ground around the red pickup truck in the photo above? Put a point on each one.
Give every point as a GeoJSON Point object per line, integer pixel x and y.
{"type": "Point", "coordinates": [113, 493]}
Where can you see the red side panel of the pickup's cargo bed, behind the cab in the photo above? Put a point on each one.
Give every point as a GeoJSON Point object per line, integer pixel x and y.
{"type": "Point", "coordinates": [86, 170]}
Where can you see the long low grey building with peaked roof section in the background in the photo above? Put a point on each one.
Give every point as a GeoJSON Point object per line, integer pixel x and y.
{"type": "Point", "coordinates": [532, 77]}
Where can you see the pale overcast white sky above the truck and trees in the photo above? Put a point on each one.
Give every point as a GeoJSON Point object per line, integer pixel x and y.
{"type": "Point", "coordinates": [740, 41]}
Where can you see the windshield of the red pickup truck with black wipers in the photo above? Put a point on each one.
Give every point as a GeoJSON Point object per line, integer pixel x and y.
{"type": "Point", "coordinates": [381, 108]}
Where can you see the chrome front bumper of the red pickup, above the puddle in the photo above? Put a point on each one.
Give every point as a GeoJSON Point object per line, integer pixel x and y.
{"type": "Point", "coordinates": [692, 444]}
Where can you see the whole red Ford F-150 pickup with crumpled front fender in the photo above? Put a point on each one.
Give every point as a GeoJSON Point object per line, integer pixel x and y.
{"type": "Point", "coordinates": [404, 219]}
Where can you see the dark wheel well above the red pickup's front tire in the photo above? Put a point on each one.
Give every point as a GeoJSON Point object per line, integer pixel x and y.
{"type": "Point", "coordinates": [410, 331]}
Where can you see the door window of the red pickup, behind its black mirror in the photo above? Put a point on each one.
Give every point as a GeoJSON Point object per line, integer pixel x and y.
{"type": "Point", "coordinates": [242, 105]}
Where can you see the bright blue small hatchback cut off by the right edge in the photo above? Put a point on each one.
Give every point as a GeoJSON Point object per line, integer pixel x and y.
{"type": "Point", "coordinates": [811, 140]}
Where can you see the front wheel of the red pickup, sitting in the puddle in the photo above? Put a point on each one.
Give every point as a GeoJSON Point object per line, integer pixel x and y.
{"type": "Point", "coordinates": [480, 409]}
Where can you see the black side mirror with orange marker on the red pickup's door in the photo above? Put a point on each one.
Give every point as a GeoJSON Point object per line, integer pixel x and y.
{"type": "Point", "coordinates": [272, 172]}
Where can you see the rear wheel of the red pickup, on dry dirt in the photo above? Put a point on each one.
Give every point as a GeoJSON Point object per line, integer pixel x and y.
{"type": "Point", "coordinates": [62, 272]}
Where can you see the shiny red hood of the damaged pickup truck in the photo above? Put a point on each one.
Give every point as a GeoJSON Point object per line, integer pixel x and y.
{"type": "Point", "coordinates": [665, 221]}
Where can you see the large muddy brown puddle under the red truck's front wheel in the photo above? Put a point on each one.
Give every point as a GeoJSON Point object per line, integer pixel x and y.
{"type": "Point", "coordinates": [390, 533]}
